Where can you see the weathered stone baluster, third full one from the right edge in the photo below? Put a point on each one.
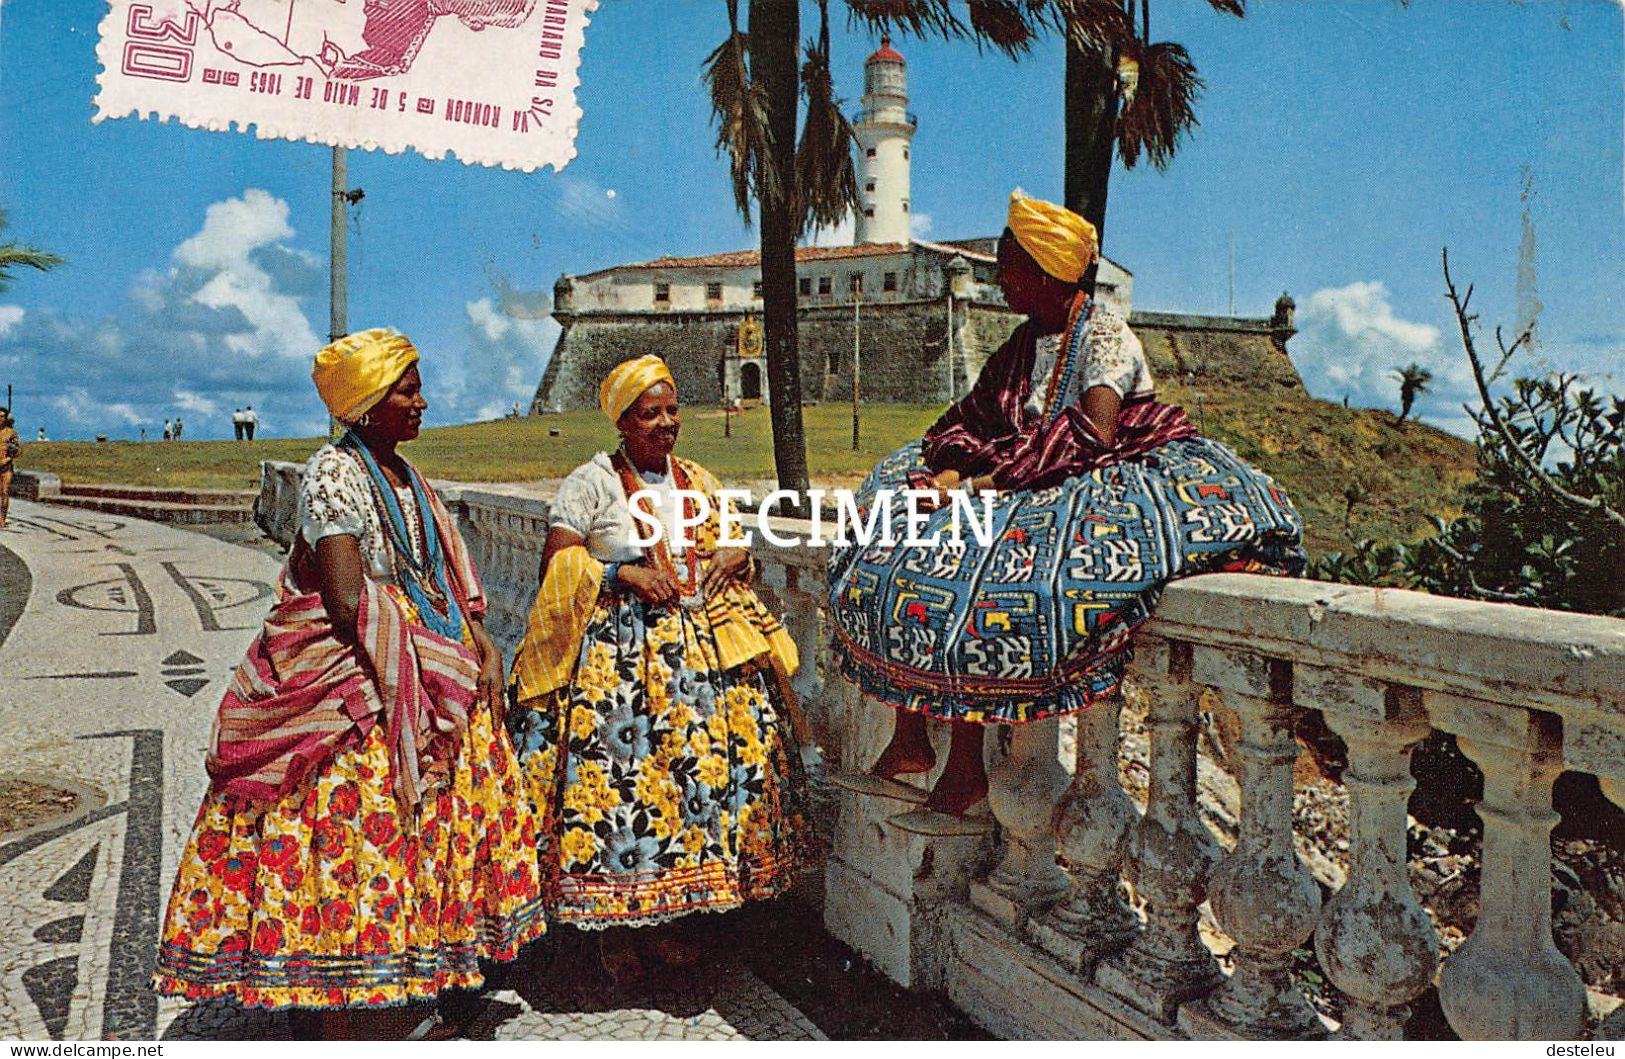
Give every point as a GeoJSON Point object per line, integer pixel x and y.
{"type": "Point", "coordinates": [1262, 893]}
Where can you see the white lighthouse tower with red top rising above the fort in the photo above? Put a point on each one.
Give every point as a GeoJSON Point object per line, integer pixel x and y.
{"type": "Point", "coordinates": [885, 131]}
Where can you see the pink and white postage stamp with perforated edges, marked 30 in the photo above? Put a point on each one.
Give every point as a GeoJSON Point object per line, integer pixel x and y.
{"type": "Point", "coordinates": [493, 82]}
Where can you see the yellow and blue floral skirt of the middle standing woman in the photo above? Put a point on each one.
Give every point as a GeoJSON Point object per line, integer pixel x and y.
{"type": "Point", "coordinates": [664, 784]}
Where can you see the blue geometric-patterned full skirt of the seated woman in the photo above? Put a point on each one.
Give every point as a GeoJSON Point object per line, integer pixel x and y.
{"type": "Point", "coordinates": [1041, 621]}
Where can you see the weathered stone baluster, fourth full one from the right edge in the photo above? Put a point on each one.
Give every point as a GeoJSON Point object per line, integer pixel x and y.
{"type": "Point", "coordinates": [1171, 855]}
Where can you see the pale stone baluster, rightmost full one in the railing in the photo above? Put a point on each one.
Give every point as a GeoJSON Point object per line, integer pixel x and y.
{"type": "Point", "coordinates": [1509, 980]}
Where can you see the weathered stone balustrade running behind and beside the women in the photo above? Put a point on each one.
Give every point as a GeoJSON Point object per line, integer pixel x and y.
{"type": "Point", "coordinates": [1038, 946]}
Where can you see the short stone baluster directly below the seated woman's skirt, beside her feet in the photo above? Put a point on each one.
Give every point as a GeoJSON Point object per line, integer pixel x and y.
{"type": "Point", "coordinates": [1023, 793]}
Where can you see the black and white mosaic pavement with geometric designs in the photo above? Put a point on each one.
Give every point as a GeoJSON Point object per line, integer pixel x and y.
{"type": "Point", "coordinates": [116, 641]}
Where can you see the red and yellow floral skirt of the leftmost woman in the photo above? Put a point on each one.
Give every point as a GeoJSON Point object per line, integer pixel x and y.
{"type": "Point", "coordinates": [334, 899]}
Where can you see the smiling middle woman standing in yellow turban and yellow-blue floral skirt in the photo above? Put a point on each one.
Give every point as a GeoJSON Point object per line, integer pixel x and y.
{"type": "Point", "coordinates": [652, 699]}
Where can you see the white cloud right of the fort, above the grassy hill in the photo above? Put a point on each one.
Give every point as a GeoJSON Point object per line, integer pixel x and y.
{"type": "Point", "coordinates": [1351, 342]}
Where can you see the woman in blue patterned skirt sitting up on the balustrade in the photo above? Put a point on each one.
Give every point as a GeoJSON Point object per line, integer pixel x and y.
{"type": "Point", "coordinates": [1103, 496]}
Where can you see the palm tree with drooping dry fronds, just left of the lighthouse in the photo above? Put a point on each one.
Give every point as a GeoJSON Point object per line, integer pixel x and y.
{"type": "Point", "coordinates": [758, 82]}
